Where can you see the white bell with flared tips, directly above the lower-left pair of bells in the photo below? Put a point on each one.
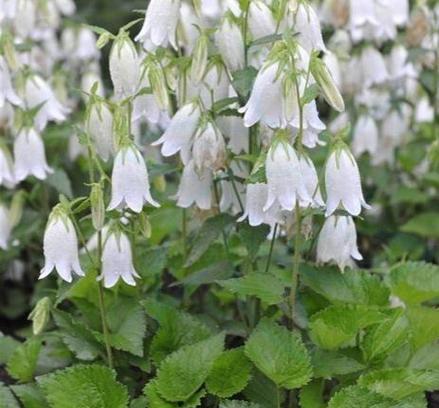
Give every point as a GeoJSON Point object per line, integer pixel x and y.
{"type": "Point", "coordinates": [130, 186]}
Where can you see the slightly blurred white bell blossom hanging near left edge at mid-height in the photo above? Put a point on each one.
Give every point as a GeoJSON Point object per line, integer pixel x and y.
{"type": "Point", "coordinates": [30, 156]}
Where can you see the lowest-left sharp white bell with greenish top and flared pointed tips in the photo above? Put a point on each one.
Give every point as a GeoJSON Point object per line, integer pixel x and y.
{"type": "Point", "coordinates": [61, 246]}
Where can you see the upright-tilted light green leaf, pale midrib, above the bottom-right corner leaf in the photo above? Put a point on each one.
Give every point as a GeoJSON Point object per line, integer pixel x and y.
{"type": "Point", "coordinates": [385, 337]}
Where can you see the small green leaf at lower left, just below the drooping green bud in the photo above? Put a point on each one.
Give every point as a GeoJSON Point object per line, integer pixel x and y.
{"type": "Point", "coordinates": [23, 361]}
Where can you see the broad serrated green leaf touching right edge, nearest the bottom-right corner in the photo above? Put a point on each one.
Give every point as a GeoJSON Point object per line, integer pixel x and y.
{"type": "Point", "coordinates": [400, 383]}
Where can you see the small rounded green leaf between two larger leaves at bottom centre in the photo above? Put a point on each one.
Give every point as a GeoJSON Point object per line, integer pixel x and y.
{"type": "Point", "coordinates": [230, 373]}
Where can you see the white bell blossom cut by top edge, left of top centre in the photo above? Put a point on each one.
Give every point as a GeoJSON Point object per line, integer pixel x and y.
{"type": "Point", "coordinates": [160, 25]}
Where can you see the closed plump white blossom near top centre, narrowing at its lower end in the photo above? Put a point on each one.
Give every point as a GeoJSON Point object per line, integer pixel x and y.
{"type": "Point", "coordinates": [230, 44]}
